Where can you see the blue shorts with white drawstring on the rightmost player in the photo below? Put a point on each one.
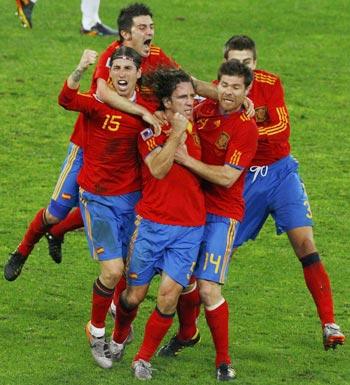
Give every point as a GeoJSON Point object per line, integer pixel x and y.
{"type": "Point", "coordinates": [277, 190]}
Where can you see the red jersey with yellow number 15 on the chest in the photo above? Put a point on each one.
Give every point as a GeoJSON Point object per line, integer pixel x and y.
{"type": "Point", "coordinates": [111, 163]}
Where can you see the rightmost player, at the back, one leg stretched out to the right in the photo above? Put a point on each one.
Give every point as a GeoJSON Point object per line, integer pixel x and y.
{"type": "Point", "coordinates": [273, 186]}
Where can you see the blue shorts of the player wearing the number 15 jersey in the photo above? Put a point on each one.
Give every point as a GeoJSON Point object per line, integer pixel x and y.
{"type": "Point", "coordinates": [109, 223]}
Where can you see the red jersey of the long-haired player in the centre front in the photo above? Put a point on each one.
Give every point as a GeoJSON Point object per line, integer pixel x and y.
{"type": "Point", "coordinates": [177, 199]}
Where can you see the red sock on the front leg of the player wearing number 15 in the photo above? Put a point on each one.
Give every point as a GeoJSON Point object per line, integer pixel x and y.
{"type": "Point", "coordinates": [101, 300]}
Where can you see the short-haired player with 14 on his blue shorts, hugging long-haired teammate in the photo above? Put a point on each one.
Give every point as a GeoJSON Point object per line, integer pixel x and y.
{"type": "Point", "coordinates": [229, 141]}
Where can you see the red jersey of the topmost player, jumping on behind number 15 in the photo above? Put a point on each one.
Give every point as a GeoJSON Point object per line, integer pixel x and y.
{"type": "Point", "coordinates": [156, 58]}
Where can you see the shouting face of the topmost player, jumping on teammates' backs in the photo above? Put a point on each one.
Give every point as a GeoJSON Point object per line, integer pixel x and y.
{"type": "Point", "coordinates": [141, 35]}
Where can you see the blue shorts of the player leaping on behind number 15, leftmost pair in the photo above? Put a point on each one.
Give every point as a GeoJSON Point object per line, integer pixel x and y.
{"type": "Point", "coordinates": [66, 192]}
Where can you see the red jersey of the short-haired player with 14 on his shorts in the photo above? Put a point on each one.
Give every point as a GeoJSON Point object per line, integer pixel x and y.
{"type": "Point", "coordinates": [225, 139]}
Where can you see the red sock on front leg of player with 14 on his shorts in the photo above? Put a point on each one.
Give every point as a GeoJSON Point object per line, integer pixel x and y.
{"type": "Point", "coordinates": [217, 320]}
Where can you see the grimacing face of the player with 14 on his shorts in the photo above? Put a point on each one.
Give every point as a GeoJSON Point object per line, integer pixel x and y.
{"type": "Point", "coordinates": [231, 93]}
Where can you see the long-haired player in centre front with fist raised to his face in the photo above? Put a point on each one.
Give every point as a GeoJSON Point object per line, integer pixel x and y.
{"type": "Point", "coordinates": [169, 222]}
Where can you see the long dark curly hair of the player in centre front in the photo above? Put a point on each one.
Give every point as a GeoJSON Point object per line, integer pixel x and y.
{"type": "Point", "coordinates": [164, 80]}
